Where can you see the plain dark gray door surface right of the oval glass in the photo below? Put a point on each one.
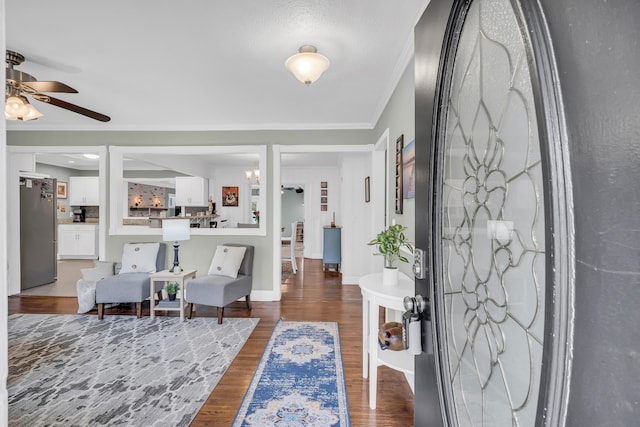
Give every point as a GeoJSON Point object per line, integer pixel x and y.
{"type": "Point", "coordinates": [596, 47]}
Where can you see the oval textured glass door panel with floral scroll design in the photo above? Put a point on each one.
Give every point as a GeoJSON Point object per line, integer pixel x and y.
{"type": "Point", "coordinates": [493, 222]}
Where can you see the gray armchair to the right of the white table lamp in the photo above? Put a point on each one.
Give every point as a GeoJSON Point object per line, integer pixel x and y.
{"type": "Point", "coordinates": [219, 291]}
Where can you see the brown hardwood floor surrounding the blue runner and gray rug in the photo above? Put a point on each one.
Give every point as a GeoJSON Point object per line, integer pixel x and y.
{"type": "Point", "coordinates": [309, 295]}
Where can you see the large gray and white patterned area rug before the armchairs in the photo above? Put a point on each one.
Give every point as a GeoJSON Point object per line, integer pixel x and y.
{"type": "Point", "coordinates": [78, 371]}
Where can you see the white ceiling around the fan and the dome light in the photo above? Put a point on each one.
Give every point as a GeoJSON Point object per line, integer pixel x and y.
{"type": "Point", "coordinates": [212, 65]}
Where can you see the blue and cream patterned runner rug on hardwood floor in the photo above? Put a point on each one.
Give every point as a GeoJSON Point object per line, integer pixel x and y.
{"type": "Point", "coordinates": [299, 381]}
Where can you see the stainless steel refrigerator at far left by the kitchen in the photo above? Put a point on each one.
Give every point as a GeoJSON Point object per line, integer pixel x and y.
{"type": "Point", "coordinates": [38, 252]}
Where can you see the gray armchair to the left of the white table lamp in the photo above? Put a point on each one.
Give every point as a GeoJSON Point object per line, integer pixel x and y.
{"type": "Point", "coordinates": [129, 287]}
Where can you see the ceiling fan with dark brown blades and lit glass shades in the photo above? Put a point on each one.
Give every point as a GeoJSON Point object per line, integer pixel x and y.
{"type": "Point", "coordinates": [18, 84]}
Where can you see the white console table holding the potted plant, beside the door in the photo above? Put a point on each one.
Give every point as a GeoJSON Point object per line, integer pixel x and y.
{"type": "Point", "coordinates": [374, 296]}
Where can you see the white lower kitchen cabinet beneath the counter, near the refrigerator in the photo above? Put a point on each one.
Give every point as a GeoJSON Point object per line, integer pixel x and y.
{"type": "Point", "coordinates": [78, 241]}
